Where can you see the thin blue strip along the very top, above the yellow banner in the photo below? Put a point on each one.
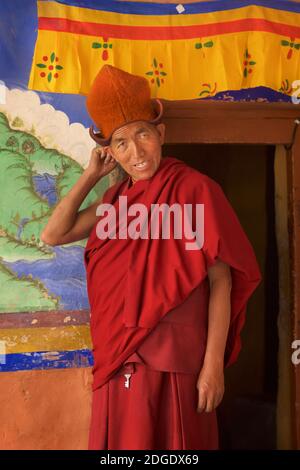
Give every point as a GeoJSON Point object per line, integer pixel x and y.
{"type": "Point", "coordinates": [170, 9]}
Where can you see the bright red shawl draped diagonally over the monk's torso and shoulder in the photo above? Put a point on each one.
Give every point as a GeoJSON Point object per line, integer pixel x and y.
{"type": "Point", "coordinates": [133, 283]}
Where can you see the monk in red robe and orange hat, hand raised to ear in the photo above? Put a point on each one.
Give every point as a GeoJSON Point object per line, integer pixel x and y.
{"type": "Point", "coordinates": [167, 305]}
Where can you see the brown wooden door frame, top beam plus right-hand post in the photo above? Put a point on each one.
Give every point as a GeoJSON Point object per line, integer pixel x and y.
{"type": "Point", "coordinates": [220, 122]}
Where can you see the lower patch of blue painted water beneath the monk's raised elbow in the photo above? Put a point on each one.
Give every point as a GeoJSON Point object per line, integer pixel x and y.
{"type": "Point", "coordinates": [64, 275]}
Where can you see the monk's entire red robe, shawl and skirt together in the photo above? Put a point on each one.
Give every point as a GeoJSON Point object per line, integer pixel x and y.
{"type": "Point", "coordinates": [149, 311]}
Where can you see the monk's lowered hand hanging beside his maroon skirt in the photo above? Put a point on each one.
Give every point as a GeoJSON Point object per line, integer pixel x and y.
{"type": "Point", "coordinates": [210, 386]}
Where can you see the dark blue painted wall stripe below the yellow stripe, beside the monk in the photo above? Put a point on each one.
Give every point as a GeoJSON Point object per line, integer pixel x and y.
{"type": "Point", "coordinates": [46, 360]}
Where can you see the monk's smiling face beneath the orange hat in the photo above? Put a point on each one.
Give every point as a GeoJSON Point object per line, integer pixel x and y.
{"type": "Point", "coordinates": [137, 148]}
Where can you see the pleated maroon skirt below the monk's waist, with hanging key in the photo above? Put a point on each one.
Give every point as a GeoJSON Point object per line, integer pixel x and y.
{"type": "Point", "coordinates": [157, 411]}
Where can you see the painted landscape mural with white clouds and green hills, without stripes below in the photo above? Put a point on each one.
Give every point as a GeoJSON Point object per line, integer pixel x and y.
{"type": "Point", "coordinates": [42, 156]}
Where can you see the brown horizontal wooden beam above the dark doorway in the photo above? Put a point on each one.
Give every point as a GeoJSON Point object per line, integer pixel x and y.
{"type": "Point", "coordinates": [193, 121]}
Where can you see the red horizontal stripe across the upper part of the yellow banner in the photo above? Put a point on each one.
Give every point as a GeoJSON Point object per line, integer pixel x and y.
{"type": "Point", "coordinates": [166, 32]}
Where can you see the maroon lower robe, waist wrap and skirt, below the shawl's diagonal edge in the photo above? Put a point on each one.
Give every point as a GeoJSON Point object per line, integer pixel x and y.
{"type": "Point", "coordinates": [159, 408]}
